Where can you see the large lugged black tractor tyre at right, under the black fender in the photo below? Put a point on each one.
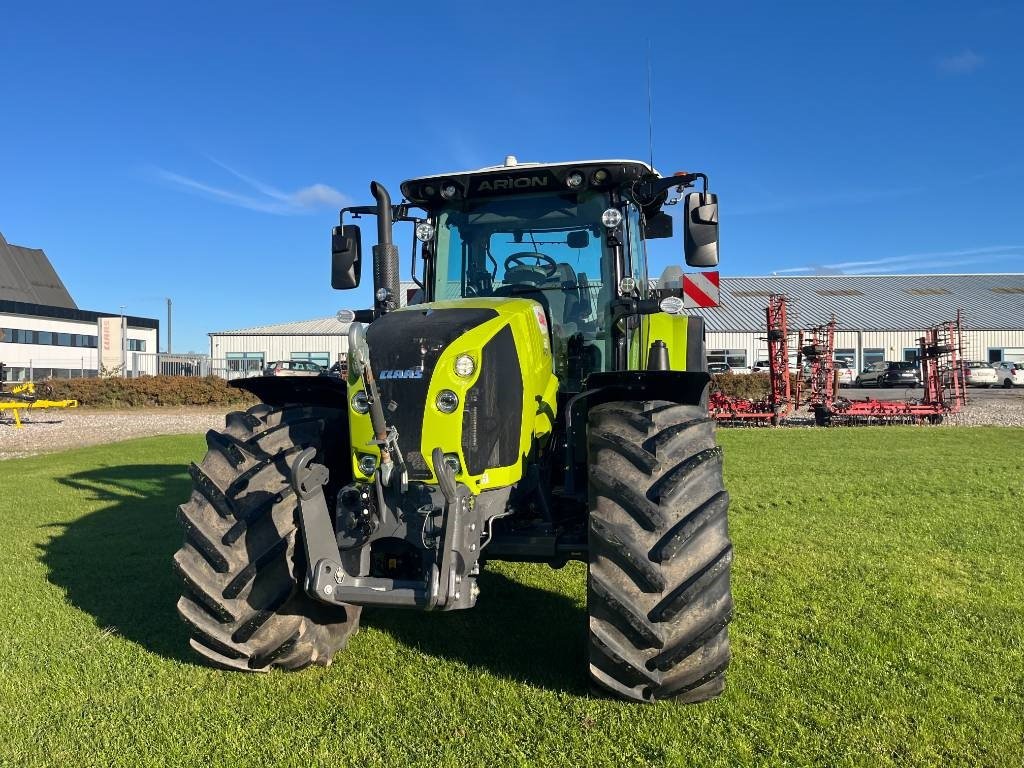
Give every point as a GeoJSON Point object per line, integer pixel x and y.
{"type": "Point", "coordinates": [659, 595]}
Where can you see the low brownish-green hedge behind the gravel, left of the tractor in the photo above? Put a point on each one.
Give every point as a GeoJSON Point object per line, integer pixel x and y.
{"type": "Point", "coordinates": [146, 392]}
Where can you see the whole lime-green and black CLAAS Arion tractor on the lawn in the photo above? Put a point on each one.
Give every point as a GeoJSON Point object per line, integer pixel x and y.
{"type": "Point", "coordinates": [540, 400]}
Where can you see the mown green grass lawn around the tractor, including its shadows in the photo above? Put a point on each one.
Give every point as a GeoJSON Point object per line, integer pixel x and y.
{"type": "Point", "coordinates": [879, 582]}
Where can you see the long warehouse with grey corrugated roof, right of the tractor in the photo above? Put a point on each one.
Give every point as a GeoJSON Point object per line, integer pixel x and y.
{"type": "Point", "coordinates": [878, 317]}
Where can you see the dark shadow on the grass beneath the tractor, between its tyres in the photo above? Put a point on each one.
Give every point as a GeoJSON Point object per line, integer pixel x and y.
{"type": "Point", "coordinates": [518, 632]}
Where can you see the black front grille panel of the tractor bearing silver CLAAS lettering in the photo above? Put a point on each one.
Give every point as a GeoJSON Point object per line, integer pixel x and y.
{"type": "Point", "coordinates": [412, 342]}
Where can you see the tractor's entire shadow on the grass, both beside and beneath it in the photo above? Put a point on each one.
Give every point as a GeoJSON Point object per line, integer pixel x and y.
{"type": "Point", "coordinates": [115, 565]}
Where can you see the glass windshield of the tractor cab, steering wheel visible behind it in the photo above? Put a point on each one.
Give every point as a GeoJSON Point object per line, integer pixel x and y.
{"type": "Point", "coordinates": [550, 248]}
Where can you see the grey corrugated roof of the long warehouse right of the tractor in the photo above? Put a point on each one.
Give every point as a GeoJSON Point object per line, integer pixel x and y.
{"type": "Point", "coordinates": [868, 303]}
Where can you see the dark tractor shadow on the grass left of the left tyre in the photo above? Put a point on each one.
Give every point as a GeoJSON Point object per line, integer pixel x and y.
{"type": "Point", "coordinates": [115, 564]}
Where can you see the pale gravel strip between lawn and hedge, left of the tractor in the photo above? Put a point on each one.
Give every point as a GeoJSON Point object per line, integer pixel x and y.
{"type": "Point", "coordinates": [47, 432]}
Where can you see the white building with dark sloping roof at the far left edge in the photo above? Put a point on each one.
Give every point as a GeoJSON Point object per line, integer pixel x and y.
{"type": "Point", "coordinates": [45, 334]}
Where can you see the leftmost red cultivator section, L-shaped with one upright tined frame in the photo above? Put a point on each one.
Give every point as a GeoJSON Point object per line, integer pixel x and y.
{"type": "Point", "coordinates": [779, 404]}
